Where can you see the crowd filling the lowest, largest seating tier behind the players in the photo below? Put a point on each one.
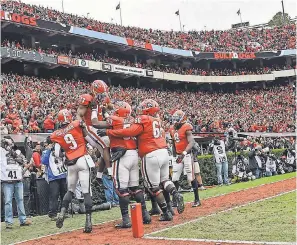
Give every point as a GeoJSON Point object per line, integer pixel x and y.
{"type": "Point", "coordinates": [30, 104]}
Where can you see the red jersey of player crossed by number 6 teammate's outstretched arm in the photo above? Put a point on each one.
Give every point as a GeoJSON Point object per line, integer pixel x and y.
{"type": "Point", "coordinates": [119, 123]}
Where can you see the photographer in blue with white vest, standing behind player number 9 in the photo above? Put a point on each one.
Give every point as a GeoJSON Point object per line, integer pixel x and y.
{"type": "Point", "coordinates": [55, 175]}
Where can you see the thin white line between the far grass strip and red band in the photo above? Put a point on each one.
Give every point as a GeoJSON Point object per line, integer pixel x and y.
{"type": "Point", "coordinates": [110, 221]}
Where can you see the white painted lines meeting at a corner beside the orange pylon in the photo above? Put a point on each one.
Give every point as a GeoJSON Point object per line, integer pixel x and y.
{"type": "Point", "coordinates": [148, 236]}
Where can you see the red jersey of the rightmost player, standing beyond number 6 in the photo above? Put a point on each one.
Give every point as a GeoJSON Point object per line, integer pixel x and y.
{"type": "Point", "coordinates": [179, 137]}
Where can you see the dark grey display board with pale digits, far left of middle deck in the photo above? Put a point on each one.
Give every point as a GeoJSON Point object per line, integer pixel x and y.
{"type": "Point", "coordinates": [27, 55]}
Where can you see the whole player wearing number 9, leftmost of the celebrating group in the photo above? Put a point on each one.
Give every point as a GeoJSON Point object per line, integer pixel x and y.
{"type": "Point", "coordinates": [71, 139]}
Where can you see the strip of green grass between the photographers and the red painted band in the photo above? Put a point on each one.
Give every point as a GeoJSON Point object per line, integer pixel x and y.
{"type": "Point", "coordinates": [43, 226]}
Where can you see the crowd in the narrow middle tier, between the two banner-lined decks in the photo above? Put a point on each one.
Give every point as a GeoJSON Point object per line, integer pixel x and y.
{"type": "Point", "coordinates": [177, 69]}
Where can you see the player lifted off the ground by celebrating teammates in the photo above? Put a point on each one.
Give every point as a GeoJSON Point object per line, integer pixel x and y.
{"type": "Point", "coordinates": [101, 99]}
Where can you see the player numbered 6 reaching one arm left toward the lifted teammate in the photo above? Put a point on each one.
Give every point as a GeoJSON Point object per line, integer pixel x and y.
{"type": "Point", "coordinates": [152, 148]}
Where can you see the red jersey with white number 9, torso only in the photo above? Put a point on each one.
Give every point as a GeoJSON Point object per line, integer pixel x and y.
{"type": "Point", "coordinates": [71, 139]}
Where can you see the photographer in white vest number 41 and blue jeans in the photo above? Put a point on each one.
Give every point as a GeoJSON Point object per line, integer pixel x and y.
{"type": "Point", "coordinates": [12, 164]}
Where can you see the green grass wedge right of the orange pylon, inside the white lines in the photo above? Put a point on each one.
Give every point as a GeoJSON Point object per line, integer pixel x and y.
{"type": "Point", "coordinates": [272, 220]}
